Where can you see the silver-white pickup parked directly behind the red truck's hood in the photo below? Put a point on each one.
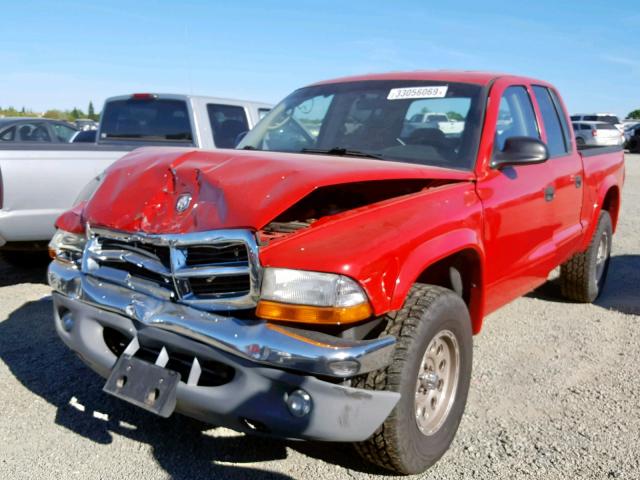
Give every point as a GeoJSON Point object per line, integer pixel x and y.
{"type": "Point", "coordinates": [40, 181]}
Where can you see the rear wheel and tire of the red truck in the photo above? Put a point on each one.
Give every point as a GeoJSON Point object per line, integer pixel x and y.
{"type": "Point", "coordinates": [583, 276]}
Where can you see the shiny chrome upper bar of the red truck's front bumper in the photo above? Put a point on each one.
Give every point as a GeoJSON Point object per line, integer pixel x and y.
{"type": "Point", "coordinates": [255, 340]}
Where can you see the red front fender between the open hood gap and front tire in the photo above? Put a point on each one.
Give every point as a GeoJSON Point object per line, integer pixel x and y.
{"type": "Point", "coordinates": [386, 246]}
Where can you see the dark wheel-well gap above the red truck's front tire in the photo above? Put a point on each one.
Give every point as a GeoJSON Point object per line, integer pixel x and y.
{"type": "Point", "coordinates": [462, 273]}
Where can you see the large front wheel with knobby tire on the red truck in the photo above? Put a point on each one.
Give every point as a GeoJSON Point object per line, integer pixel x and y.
{"type": "Point", "coordinates": [431, 369]}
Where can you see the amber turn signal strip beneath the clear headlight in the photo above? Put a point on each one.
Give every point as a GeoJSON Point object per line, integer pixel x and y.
{"type": "Point", "coordinates": [285, 312]}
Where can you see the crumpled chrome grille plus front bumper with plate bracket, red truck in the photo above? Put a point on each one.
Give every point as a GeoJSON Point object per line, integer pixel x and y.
{"type": "Point", "coordinates": [136, 306]}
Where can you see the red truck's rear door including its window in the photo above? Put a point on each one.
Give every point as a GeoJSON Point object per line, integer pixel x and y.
{"type": "Point", "coordinates": [566, 170]}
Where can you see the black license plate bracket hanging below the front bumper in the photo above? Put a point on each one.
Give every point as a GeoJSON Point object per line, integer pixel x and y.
{"type": "Point", "coordinates": [144, 384]}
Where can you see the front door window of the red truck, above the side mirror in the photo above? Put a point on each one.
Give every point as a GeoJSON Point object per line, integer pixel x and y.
{"type": "Point", "coordinates": [516, 117]}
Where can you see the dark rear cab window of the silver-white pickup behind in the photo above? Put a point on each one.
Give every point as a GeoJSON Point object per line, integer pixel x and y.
{"type": "Point", "coordinates": [146, 119]}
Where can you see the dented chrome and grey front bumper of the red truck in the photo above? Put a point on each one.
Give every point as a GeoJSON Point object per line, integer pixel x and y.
{"type": "Point", "coordinates": [268, 362]}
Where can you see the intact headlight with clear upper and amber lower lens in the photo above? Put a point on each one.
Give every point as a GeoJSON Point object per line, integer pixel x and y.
{"type": "Point", "coordinates": [311, 297]}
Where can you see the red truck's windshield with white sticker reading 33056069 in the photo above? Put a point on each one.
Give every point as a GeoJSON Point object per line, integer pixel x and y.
{"type": "Point", "coordinates": [378, 119]}
